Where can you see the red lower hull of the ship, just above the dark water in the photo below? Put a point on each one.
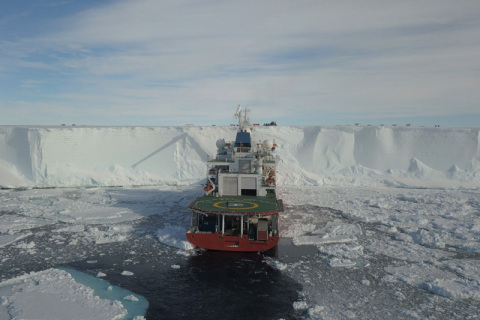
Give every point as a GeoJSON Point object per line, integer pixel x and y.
{"type": "Point", "coordinates": [215, 241]}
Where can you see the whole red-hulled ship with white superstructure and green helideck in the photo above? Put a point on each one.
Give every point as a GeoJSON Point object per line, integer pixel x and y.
{"type": "Point", "coordinates": [239, 209]}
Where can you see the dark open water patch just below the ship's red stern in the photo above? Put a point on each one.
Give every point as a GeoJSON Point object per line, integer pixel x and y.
{"type": "Point", "coordinates": [204, 285]}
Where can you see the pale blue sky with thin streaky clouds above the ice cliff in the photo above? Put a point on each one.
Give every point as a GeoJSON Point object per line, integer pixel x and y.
{"type": "Point", "coordinates": [154, 62]}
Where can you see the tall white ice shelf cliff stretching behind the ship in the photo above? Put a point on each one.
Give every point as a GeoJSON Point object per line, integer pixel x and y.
{"type": "Point", "coordinates": [118, 156]}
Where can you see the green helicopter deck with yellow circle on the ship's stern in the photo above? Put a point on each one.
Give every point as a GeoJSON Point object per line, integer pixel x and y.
{"type": "Point", "coordinates": [235, 204]}
